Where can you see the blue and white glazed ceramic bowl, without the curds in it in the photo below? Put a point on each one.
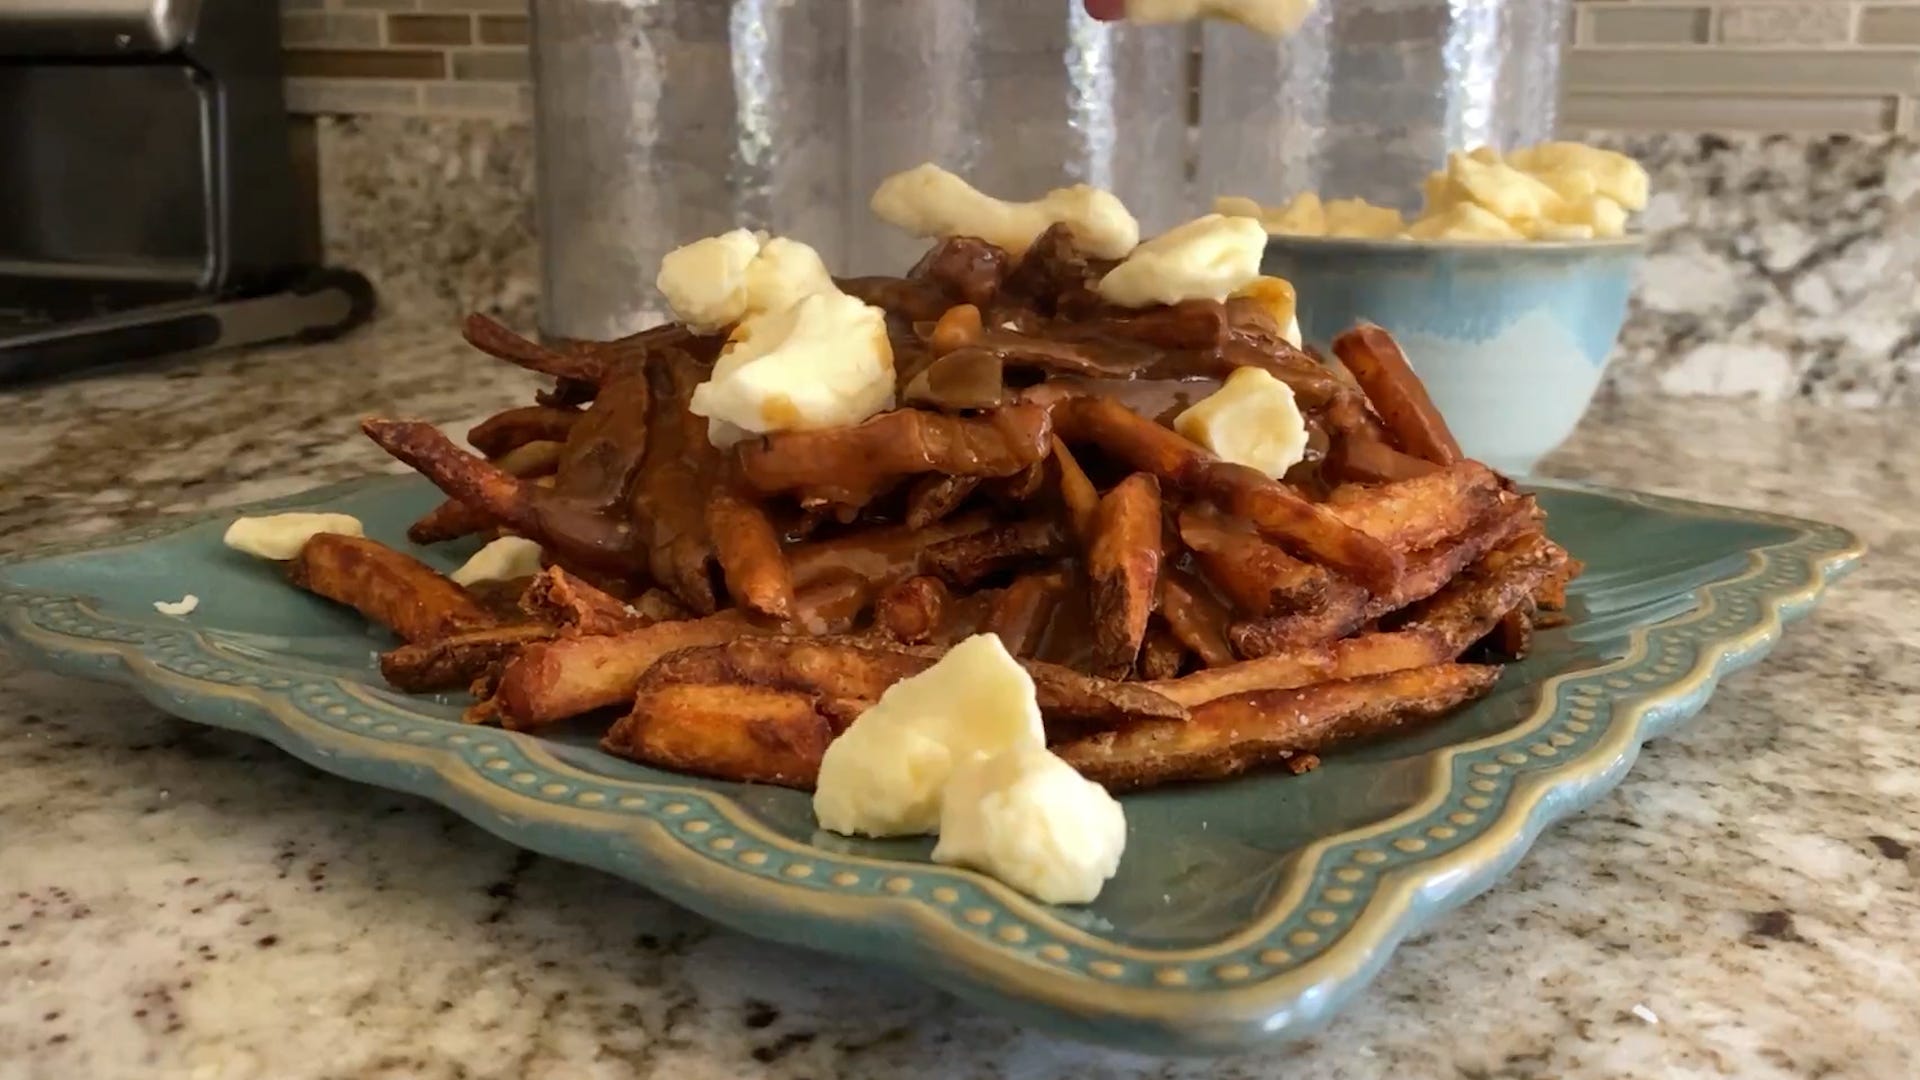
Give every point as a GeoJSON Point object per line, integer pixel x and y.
{"type": "Point", "coordinates": [1510, 339]}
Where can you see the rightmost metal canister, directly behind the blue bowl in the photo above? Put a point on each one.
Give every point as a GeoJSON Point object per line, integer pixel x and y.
{"type": "Point", "coordinates": [1372, 95]}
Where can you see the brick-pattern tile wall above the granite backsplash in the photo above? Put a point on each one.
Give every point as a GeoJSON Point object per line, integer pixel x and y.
{"type": "Point", "coordinates": [1633, 64]}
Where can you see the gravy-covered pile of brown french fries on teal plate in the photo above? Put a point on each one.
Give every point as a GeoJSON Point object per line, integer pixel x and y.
{"type": "Point", "coordinates": [729, 612]}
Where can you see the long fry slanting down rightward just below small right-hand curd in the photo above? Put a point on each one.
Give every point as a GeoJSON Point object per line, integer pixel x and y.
{"type": "Point", "coordinates": [1270, 506]}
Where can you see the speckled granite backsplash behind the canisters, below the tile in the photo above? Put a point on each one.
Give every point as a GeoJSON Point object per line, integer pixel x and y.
{"type": "Point", "coordinates": [1779, 268]}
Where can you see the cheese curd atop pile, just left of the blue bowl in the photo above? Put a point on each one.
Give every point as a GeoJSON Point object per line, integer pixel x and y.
{"type": "Point", "coordinates": [1209, 258]}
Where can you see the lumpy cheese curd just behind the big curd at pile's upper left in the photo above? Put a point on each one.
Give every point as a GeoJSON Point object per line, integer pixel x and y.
{"type": "Point", "coordinates": [717, 282]}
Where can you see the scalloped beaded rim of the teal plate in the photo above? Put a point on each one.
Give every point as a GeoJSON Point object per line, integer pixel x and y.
{"type": "Point", "coordinates": [905, 929]}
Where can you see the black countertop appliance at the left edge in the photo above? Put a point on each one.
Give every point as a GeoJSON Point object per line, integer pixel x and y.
{"type": "Point", "coordinates": [149, 191]}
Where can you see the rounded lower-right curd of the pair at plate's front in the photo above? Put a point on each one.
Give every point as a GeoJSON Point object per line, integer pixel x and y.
{"type": "Point", "coordinates": [1030, 820]}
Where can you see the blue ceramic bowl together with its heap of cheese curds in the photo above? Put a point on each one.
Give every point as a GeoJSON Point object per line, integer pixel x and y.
{"type": "Point", "coordinates": [1508, 291]}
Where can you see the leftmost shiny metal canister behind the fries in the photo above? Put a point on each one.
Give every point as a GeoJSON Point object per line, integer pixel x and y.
{"type": "Point", "coordinates": [660, 122]}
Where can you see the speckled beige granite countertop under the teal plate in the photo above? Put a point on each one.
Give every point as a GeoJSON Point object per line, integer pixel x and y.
{"type": "Point", "coordinates": [187, 902]}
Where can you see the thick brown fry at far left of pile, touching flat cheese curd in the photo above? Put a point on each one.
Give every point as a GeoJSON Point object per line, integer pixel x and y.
{"type": "Point", "coordinates": [395, 591]}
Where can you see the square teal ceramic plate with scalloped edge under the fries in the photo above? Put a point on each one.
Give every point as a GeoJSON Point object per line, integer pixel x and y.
{"type": "Point", "coordinates": [1245, 912]}
